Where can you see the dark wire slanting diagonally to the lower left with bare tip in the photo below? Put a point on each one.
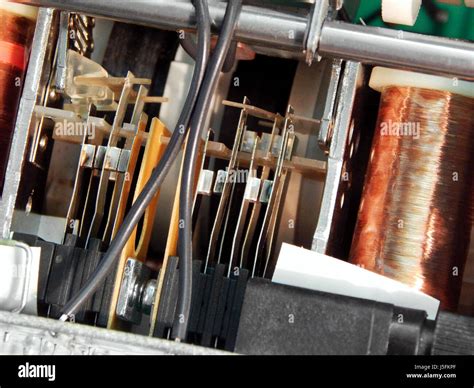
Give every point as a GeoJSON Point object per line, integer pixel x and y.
{"type": "Point", "coordinates": [137, 210]}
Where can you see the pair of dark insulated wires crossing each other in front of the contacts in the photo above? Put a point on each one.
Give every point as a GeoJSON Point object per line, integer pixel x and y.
{"type": "Point", "coordinates": [195, 111]}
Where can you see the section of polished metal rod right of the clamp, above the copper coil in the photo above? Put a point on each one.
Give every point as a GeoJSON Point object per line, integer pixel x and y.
{"type": "Point", "coordinates": [381, 46]}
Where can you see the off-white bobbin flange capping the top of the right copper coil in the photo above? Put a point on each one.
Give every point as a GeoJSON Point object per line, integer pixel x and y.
{"type": "Point", "coordinates": [382, 77]}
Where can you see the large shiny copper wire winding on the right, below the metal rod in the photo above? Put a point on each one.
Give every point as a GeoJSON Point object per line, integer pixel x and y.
{"type": "Point", "coordinates": [416, 212]}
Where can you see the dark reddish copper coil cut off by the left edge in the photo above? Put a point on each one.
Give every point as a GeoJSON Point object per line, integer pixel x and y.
{"type": "Point", "coordinates": [15, 35]}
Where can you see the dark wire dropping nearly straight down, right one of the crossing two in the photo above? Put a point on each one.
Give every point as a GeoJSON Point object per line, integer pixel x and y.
{"type": "Point", "coordinates": [197, 128]}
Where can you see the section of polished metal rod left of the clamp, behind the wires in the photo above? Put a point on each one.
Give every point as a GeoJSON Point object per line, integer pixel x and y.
{"type": "Point", "coordinates": [256, 25]}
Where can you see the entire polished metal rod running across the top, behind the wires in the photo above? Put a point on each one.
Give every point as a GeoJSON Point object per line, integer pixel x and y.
{"type": "Point", "coordinates": [288, 32]}
